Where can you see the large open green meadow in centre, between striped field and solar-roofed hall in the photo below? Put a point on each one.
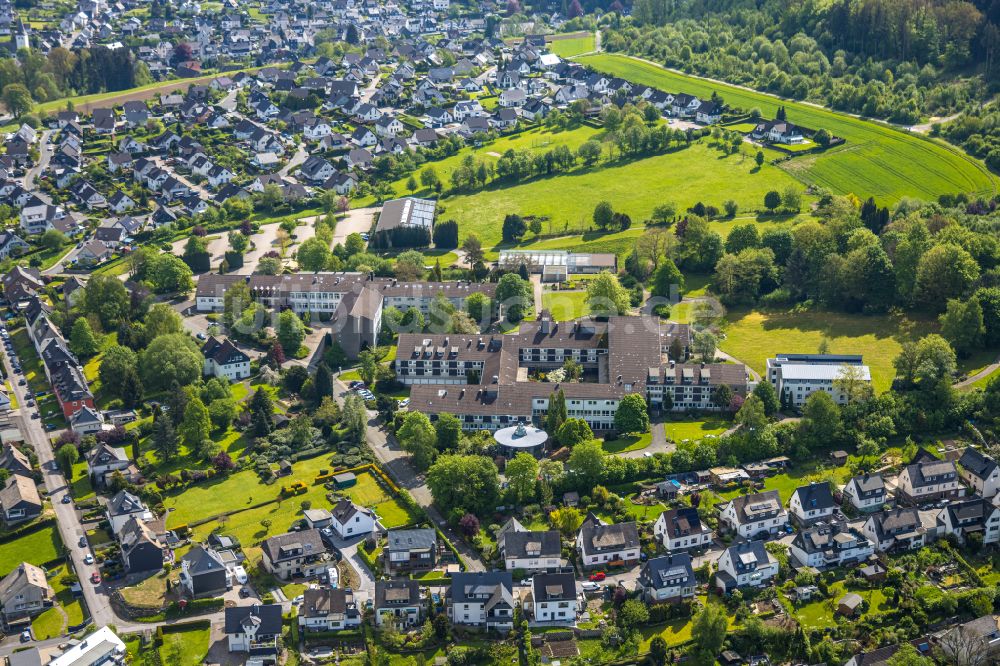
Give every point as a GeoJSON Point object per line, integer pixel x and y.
{"type": "Point", "coordinates": [635, 187]}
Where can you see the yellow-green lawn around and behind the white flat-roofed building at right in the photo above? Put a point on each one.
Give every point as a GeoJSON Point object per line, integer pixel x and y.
{"type": "Point", "coordinates": [754, 336]}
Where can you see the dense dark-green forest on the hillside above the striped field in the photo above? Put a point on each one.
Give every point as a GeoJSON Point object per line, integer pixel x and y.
{"type": "Point", "coordinates": [901, 60]}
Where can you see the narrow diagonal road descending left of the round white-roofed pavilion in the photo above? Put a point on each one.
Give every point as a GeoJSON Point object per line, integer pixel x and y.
{"type": "Point", "coordinates": [396, 462]}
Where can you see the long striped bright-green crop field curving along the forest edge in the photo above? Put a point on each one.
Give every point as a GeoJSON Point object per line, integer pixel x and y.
{"type": "Point", "coordinates": [876, 160]}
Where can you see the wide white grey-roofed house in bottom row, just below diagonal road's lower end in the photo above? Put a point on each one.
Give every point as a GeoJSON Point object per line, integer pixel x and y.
{"type": "Point", "coordinates": [482, 599]}
